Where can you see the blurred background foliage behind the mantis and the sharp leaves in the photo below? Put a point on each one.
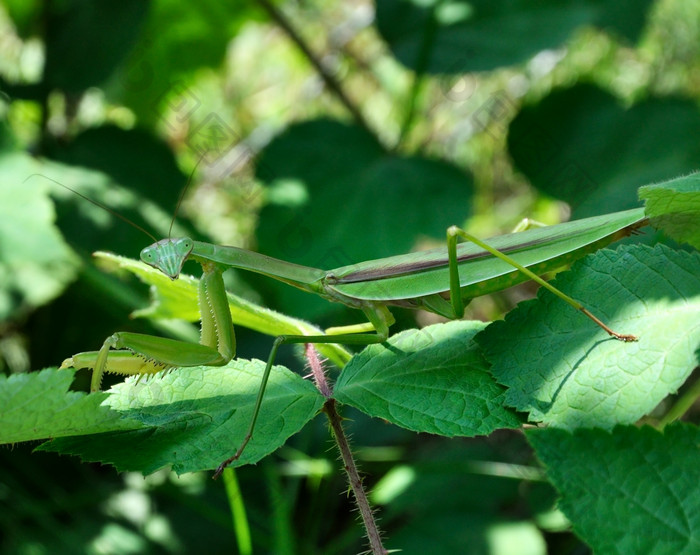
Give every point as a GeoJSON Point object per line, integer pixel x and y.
{"type": "Point", "coordinates": [326, 132]}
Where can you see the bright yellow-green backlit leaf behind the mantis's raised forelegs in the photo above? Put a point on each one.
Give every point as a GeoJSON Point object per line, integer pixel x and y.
{"type": "Point", "coordinates": [179, 299]}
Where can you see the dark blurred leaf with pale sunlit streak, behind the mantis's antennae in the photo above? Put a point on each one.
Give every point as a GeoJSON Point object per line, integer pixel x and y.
{"type": "Point", "coordinates": [127, 190]}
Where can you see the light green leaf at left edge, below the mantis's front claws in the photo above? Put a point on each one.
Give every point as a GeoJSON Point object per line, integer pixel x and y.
{"type": "Point", "coordinates": [39, 405]}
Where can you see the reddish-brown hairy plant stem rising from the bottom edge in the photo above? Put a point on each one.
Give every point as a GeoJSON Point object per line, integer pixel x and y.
{"type": "Point", "coordinates": [341, 440]}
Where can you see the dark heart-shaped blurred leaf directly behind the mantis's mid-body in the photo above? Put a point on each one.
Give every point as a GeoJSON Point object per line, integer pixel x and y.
{"type": "Point", "coordinates": [336, 197]}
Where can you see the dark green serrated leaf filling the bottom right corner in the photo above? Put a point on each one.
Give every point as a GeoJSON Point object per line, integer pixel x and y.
{"type": "Point", "coordinates": [632, 490]}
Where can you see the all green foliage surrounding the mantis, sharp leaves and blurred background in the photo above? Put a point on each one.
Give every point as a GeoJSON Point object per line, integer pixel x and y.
{"type": "Point", "coordinates": [319, 135]}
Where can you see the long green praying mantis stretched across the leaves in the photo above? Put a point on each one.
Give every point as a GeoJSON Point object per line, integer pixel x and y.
{"type": "Point", "coordinates": [441, 281]}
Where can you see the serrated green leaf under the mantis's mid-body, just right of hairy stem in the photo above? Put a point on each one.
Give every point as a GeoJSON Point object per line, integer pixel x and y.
{"type": "Point", "coordinates": [430, 380]}
